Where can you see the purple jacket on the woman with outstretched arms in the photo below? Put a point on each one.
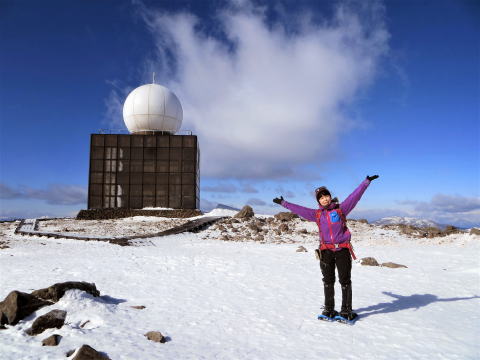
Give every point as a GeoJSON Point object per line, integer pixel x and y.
{"type": "Point", "coordinates": [330, 223]}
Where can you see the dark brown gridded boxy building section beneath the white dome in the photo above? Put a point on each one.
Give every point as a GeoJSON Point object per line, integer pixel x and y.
{"type": "Point", "coordinates": [137, 171]}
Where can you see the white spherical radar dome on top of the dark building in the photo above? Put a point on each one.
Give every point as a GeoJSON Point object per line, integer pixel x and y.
{"type": "Point", "coordinates": [152, 107]}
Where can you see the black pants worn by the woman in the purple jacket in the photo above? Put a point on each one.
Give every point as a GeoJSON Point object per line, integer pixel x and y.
{"type": "Point", "coordinates": [343, 262]}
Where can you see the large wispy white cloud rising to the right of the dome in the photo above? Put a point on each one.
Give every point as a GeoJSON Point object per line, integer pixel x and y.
{"type": "Point", "coordinates": [263, 98]}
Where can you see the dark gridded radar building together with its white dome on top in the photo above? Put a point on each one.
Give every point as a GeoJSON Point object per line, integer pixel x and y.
{"type": "Point", "coordinates": [150, 167]}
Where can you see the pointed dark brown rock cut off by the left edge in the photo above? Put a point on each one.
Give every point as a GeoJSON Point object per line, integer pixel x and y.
{"type": "Point", "coordinates": [18, 305]}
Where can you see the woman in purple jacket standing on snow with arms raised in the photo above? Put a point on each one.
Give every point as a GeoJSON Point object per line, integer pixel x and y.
{"type": "Point", "coordinates": [335, 249]}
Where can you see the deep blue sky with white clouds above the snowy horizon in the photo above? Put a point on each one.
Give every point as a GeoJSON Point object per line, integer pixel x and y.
{"type": "Point", "coordinates": [285, 96]}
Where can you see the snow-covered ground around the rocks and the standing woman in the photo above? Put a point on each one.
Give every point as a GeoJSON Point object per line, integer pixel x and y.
{"type": "Point", "coordinates": [249, 300]}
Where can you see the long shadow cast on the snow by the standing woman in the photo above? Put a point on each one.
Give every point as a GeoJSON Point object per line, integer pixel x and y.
{"type": "Point", "coordinates": [400, 303]}
